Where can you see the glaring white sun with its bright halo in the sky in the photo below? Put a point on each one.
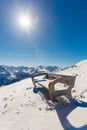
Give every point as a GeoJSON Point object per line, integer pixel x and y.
{"type": "Point", "coordinates": [26, 22]}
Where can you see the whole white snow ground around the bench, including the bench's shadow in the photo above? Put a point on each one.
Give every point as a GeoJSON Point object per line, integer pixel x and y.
{"type": "Point", "coordinates": [21, 109]}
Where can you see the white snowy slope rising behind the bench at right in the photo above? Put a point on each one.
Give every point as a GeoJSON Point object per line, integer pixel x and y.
{"type": "Point", "coordinates": [80, 71]}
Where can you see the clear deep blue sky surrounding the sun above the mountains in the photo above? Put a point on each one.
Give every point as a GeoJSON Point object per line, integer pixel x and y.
{"type": "Point", "coordinates": [59, 36]}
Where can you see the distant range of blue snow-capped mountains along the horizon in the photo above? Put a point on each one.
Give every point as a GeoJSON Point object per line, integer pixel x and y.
{"type": "Point", "coordinates": [11, 74]}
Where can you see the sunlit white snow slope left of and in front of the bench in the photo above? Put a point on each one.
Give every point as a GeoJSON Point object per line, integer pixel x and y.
{"type": "Point", "coordinates": [21, 109]}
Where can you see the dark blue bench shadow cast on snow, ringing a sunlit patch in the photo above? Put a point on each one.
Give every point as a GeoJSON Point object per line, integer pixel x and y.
{"type": "Point", "coordinates": [64, 110]}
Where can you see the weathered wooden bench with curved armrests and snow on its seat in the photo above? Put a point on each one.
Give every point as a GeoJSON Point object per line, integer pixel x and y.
{"type": "Point", "coordinates": [55, 84]}
